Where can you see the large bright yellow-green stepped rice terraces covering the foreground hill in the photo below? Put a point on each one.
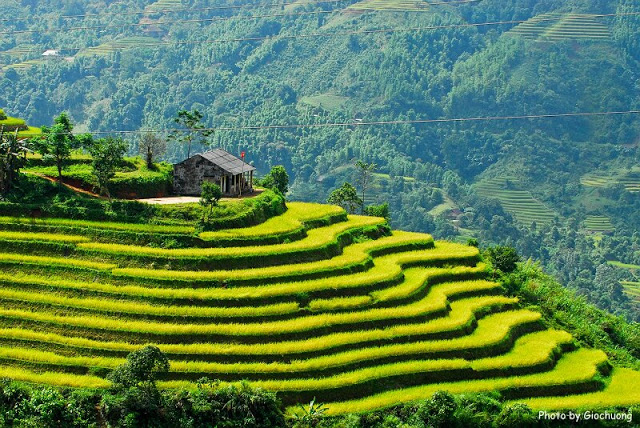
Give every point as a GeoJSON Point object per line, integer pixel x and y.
{"type": "Point", "coordinates": [313, 303]}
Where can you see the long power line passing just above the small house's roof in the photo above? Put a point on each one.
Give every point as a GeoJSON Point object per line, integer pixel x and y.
{"type": "Point", "coordinates": [375, 123]}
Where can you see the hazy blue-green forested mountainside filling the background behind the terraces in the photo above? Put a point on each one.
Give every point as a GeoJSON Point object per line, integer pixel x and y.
{"type": "Point", "coordinates": [561, 189]}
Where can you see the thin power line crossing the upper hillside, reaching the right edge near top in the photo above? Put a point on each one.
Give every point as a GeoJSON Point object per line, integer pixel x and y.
{"type": "Point", "coordinates": [357, 32]}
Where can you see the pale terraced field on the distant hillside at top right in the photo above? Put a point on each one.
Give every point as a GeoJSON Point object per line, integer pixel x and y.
{"type": "Point", "coordinates": [551, 27]}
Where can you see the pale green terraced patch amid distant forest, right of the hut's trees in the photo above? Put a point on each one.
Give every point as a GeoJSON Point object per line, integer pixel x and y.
{"type": "Point", "coordinates": [519, 203]}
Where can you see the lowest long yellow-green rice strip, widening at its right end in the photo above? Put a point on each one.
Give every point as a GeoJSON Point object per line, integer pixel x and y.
{"type": "Point", "coordinates": [574, 368]}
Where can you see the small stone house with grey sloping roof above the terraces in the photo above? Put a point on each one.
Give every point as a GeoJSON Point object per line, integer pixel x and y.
{"type": "Point", "coordinates": [232, 174]}
